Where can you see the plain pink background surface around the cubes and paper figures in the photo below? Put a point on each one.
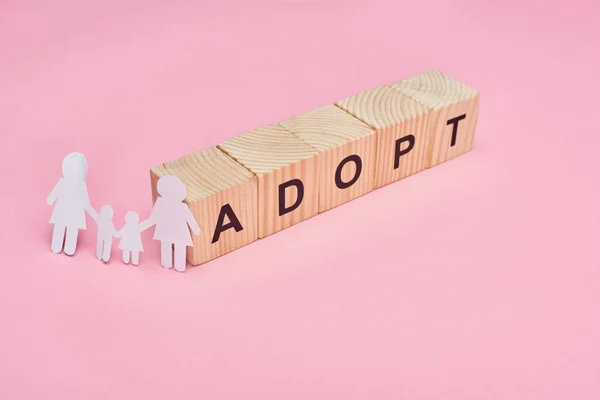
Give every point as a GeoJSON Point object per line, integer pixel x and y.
{"type": "Point", "coordinates": [477, 279]}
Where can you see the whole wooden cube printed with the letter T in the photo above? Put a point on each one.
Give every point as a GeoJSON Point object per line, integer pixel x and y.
{"type": "Point", "coordinates": [454, 112]}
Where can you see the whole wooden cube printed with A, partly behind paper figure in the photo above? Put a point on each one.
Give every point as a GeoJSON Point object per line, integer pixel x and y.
{"type": "Point", "coordinates": [223, 197]}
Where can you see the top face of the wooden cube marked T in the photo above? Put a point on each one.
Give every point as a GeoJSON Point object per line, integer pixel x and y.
{"type": "Point", "coordinates": [435, 90]}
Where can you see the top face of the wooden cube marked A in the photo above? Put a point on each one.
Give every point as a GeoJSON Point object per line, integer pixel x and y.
{"type": "Point", "coordinates": [205, 173]}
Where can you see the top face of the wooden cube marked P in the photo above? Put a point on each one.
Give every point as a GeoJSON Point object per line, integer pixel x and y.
{"type": "Point", "coordinates": [382, 107]}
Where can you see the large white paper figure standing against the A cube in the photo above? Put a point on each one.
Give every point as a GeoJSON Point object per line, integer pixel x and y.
{"type": "Point", "coordinates": [172, 218]}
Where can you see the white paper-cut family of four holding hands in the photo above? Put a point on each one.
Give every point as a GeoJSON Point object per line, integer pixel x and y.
{"type": "Point", "coordinates": [170, 216]}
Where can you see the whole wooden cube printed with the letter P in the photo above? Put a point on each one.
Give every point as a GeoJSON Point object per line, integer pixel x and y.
{"type": "Point", "coordinates": [402, 132]}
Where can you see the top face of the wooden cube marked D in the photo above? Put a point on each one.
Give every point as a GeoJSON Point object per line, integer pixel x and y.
{"type": "Point", "coordinates": [267, 149]}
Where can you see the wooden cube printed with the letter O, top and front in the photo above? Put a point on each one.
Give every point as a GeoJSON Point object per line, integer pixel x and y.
{"type": "Point", "coordinates": [337, 135]}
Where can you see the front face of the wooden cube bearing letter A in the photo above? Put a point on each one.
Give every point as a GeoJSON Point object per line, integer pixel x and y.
{"type": "Point", "coordinates": [228, 220]}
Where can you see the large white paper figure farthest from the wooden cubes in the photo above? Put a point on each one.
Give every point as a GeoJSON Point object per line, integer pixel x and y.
{"type": "Point", "coordinates": [71, 201]}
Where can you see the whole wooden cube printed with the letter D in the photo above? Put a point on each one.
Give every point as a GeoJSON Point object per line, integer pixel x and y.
{"type": "Point", "coordinates": [287, 171]}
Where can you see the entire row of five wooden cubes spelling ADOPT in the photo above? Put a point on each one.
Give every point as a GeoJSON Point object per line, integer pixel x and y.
{"type": "Point", "coordinates": [266, 180]}
